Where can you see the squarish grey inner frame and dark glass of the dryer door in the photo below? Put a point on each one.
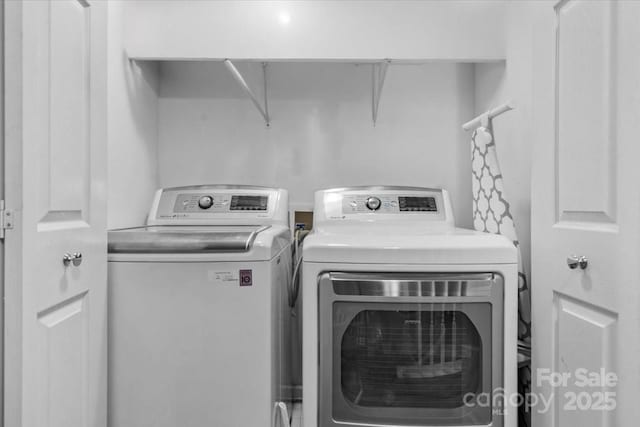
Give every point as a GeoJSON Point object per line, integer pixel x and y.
{"type": "Point", "coordinates": [406, 365]}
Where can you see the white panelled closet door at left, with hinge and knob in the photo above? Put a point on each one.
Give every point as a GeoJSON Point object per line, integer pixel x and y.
{"type": "Point", "coordinates": [55, 94]}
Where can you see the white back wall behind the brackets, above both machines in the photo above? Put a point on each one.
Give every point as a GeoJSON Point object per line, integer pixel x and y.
{"type": "Point", "coordinates": [322, 133]}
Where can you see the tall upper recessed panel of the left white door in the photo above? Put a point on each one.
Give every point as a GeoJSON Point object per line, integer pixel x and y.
{"type": "Point", "coordinates": [66, 204]}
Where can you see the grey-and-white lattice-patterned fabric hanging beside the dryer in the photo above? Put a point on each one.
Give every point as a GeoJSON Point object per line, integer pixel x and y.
{"type": "Point", "coordinates": [492, 214]}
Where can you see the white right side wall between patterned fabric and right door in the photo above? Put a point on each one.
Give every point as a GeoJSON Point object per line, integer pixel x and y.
{"type": "Point", "coordinates": [495, 84]}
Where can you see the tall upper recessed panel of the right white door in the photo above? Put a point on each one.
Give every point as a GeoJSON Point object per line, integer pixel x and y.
{"type": "Point", "coordinates": [585, 141]}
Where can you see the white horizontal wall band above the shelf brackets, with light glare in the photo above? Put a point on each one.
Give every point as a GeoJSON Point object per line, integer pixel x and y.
{"type": "Point", "coordinates": [459, 30]}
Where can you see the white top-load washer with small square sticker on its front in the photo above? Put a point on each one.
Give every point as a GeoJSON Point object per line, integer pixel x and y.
{"type": "Point", "coordinates": [198, 313]}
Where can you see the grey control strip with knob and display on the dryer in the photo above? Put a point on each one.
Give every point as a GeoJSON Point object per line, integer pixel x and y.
{"type": "Point", "coordinates": [388, 203]}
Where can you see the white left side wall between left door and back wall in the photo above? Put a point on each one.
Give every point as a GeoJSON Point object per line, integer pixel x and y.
{"type": "Point", "coordinates": [132, 129]}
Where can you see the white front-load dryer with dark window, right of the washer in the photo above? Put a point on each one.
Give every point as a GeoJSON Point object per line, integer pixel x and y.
{"type": "Point", "coordinates": [407, 320]}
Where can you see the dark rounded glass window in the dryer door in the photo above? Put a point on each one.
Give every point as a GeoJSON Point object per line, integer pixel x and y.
{"type": "Point", "coordinates": [410, 359]}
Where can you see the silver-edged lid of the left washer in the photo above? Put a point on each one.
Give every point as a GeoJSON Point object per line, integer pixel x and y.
{"type": "Point", "coordinates": [183, 239]}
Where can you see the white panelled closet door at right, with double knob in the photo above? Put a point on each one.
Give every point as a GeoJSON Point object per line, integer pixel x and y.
{"type": "Point", "coordinates": [586, 202]}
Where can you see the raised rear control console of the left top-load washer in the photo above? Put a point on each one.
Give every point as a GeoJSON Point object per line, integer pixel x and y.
{"type": "Point", "coordinates": [219, 204]}
